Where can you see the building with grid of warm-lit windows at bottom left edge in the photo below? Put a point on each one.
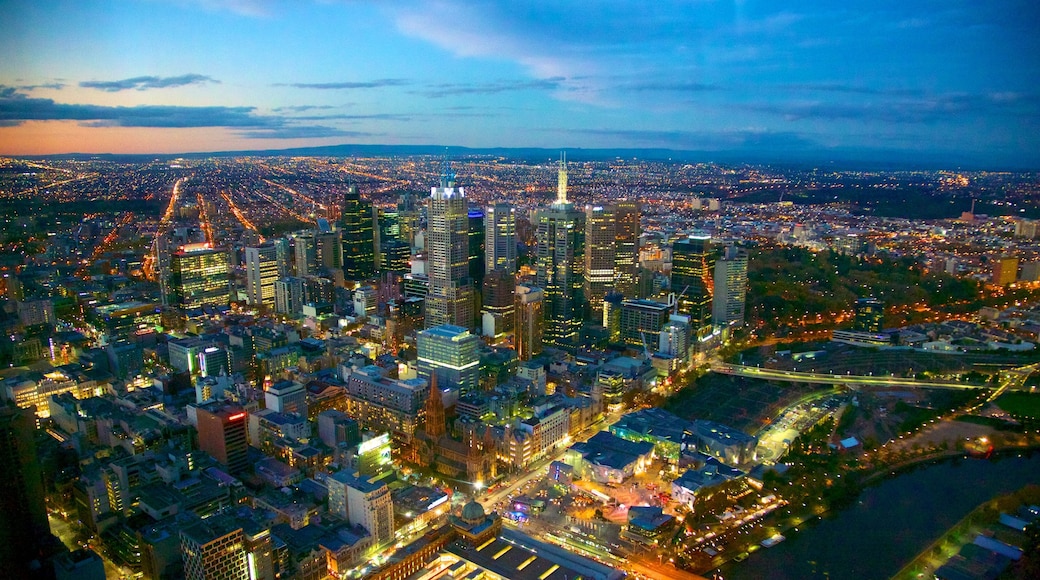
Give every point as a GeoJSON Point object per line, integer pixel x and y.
{"type": "Point", "coordinates": [224, 548]}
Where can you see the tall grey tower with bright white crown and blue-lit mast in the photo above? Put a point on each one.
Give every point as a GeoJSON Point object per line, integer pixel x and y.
{"type": "Point", "coordinates": [451, 298]}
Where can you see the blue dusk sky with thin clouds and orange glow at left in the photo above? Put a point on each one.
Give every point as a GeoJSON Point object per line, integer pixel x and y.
{"type": "Point", "coordinates": [905, 81]}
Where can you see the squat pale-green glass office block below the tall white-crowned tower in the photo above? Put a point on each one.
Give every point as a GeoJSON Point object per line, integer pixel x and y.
{"type": "Point", "coordinates": [451, 353]}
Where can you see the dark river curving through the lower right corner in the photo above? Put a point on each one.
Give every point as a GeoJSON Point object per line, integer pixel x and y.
{"type": "Point", "coordinates": [891, 523]}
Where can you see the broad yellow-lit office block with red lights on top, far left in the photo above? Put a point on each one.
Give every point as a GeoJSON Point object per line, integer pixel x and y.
{"type": "Point", "coordinates": [199, 276]}
